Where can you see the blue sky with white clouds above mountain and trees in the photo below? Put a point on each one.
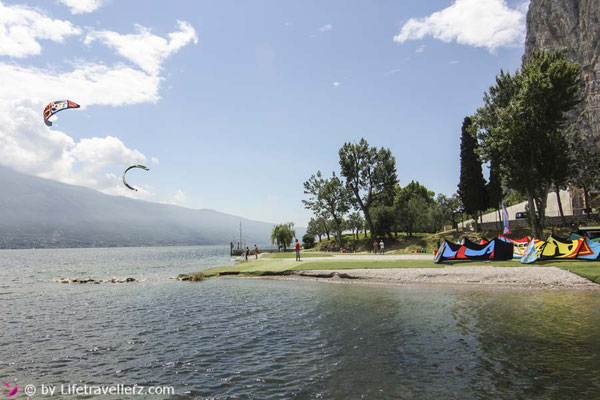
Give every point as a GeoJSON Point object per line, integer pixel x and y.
{"type": "Point", "coordinates": [234, 104]}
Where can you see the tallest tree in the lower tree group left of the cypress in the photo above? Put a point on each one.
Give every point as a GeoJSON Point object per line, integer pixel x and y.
{"type": "Point", "coordinates": [370, 175]}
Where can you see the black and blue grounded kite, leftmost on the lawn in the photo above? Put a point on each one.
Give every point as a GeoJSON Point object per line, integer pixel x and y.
{"type": "Point", "coordinates": [496, 249]}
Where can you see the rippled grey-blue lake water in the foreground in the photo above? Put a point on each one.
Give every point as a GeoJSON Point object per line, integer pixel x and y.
{"type": "Point", "coordinates": [251, 338]}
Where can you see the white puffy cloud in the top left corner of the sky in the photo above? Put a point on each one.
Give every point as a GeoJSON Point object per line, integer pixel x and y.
{"type": "Point", "coordinates": [22, 27]}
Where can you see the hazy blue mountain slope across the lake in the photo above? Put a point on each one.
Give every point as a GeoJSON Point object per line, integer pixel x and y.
{"type": "Point", "coordinates": [36, 212]}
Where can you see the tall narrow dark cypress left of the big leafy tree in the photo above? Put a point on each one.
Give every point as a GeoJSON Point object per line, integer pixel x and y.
{"type": "Point", "coordinates": [471, 187]}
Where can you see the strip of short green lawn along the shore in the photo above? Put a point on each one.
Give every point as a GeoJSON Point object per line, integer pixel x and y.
{"type": "Point", "coordinates": [587, 269]}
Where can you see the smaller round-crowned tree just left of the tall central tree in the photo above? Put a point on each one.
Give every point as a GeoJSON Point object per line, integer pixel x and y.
{"type": "Point", "coordinates": [328, 198]}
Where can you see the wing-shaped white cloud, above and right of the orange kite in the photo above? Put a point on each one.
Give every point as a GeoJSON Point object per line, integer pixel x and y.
{"type": "Point", "coordinates": [144, 49]}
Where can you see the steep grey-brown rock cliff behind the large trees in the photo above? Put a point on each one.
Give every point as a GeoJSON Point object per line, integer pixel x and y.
{"type": "Point", "coordinates": [574, 27]}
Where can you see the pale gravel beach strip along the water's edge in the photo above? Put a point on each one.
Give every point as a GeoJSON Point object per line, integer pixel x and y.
{"type": "Point", "coordinates": [509, 277]}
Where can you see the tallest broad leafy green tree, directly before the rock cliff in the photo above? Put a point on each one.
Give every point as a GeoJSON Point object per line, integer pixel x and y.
{"type": "Point", "coordinates": [522, 123]}
